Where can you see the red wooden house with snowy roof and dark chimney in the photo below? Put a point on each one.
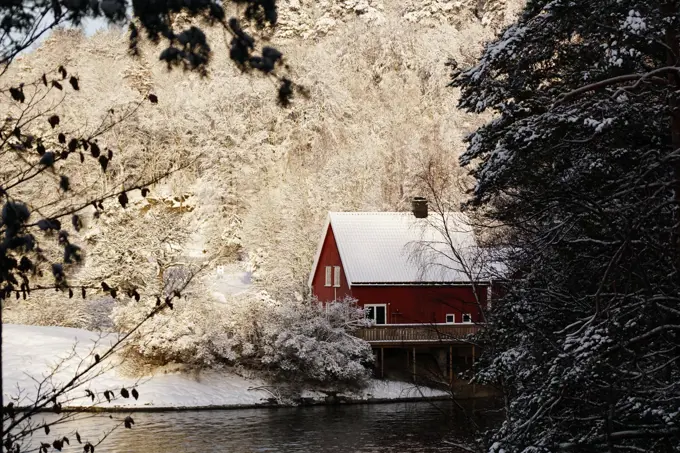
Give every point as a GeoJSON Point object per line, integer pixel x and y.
{"type": "Point", "coordinates": [403, 267]}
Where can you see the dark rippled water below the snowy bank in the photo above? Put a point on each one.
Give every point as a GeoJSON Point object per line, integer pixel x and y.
{"type": "Point", "coordinates": [381, 428]}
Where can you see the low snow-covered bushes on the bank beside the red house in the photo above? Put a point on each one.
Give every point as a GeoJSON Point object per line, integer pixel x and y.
{"type": "Point", "coordinates": [295, 341]}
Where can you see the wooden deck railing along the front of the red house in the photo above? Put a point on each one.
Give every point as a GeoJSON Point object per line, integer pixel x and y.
{"type": "Point", "coordinates": [417, 333]}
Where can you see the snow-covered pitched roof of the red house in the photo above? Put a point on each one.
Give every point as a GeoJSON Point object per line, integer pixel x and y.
{"type": "Point", "coordinates": [397, 247]}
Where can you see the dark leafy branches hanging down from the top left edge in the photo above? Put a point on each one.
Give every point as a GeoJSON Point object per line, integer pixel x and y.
{"type": "Point", "coordinates": [24, 22]}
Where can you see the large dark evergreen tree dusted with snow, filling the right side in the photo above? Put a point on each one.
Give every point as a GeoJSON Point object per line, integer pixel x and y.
{"type": "Point", "coordinates": [581, 170]}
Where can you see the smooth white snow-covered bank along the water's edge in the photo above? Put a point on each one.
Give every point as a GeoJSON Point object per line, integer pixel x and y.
{"type": "Point", "coordinates": [30, 353]}
